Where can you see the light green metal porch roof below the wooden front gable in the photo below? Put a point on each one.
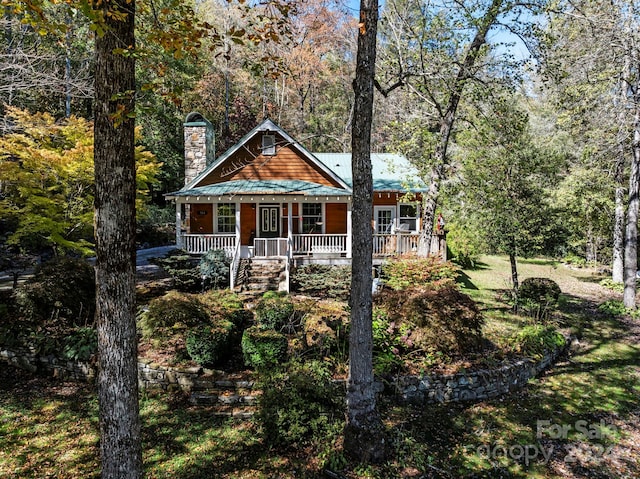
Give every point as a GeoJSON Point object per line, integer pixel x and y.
{"type": "Point", "coordinates": [266, 187]}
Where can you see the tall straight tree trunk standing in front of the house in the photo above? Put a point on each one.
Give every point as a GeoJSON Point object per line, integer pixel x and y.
{"type": "Point", "coordinates": [364, 433]}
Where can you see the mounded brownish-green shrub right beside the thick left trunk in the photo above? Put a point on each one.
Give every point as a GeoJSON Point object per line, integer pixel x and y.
{"type": "Point", "coordinates": [170, 312]}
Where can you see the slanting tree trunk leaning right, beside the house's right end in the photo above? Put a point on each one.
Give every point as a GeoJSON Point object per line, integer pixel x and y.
{"type": "Point", "coordinates": [447, 122]}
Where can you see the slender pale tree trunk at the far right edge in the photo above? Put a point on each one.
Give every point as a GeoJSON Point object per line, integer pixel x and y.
{"type": "Point", "coordinates": [631, 234]}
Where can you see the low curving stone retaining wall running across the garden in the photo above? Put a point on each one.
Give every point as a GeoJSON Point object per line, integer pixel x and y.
{"type": "Point", "coordinates": [215, 387]}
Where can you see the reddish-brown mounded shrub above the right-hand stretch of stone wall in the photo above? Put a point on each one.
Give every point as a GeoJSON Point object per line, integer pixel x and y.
{"type": "Point", "coordinates": [444, 320]}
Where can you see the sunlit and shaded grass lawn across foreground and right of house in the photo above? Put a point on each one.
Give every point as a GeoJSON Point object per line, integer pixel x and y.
{"type": "Point", "coordinates": [580, 419]}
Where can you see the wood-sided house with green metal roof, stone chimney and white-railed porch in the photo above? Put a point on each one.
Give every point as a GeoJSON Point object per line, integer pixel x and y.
{"type": "Point", "coordinates": [269, 199]}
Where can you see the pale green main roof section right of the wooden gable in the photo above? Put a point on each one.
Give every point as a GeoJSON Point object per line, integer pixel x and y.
{"type": "Point", "coordinates": [391, 172]}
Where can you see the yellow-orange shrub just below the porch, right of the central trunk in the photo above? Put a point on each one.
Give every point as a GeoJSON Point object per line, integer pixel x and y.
{"type": "Point", "coordinates": [407, 272]}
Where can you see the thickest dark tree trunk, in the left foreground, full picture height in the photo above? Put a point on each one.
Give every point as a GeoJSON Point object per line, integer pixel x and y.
{"type": "Point", "coordinates": [120, 441]}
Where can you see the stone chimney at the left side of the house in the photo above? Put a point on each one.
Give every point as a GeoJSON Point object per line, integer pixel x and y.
{"type": "Point", "coordinates": [199, 145]}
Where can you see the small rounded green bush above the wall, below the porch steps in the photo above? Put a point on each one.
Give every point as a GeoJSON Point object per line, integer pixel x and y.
{"type": "Point", "coordinates": [263, 348]}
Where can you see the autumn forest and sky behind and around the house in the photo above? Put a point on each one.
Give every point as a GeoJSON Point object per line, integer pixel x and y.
{"type": "Point", "coordinates": [526, 154]}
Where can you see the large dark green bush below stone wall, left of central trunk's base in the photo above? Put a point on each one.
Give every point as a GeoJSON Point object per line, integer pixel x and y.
{"type": "Point", "coordinates": [299, 404]}
